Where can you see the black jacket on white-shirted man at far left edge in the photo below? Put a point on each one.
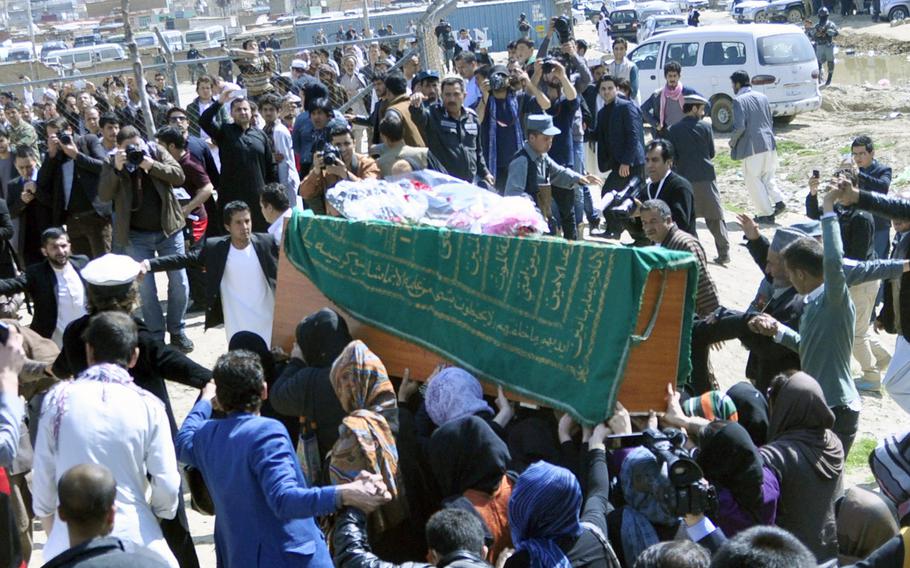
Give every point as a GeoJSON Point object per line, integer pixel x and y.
{"type": "Point", "coordinates": [40, 283]}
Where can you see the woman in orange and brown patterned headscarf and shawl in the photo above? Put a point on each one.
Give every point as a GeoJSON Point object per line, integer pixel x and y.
{"type": "Point", "coordinates": [365, 438]}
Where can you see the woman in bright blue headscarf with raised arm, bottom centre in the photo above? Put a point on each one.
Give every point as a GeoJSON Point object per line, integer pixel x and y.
{"type": "Point", "coordinates": [549, 527]}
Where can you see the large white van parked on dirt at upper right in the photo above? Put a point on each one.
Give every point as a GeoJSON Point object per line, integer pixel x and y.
{"type": "Point", "coordinates": [779, 59]}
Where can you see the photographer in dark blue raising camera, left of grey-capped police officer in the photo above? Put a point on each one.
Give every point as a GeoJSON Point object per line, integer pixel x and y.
{"type": "Point", "coordinates": [505, 101]}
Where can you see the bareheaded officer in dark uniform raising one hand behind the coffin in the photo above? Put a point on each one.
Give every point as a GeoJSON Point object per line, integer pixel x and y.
{"type": "Point", "coordinates": [452, 132]}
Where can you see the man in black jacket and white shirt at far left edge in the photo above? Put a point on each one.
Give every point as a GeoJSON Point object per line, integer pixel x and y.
{"type": "Point", "coordinates": [54, 285]}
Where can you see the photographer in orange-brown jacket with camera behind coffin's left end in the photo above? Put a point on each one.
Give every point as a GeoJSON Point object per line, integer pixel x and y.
{"type": "Point", "coordinates": [337, 161]}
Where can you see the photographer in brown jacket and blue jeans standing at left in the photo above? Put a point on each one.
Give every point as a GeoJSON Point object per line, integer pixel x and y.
{"type": "Point", "coordinates": [148, 221]}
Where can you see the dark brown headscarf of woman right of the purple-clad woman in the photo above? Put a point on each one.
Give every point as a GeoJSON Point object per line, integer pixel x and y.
{"type": "Point", "coordinates": [802, 421]}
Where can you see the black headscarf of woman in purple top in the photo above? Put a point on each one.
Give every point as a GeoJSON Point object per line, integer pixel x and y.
{"type": "Point", "coordinates": [729, 459]}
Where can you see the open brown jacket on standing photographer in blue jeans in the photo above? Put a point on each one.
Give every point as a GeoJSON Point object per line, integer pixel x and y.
{"type": "Point", "coordinates": [115, 186]}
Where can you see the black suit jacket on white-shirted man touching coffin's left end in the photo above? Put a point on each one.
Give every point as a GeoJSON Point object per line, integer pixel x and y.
{"type": "Point", "coordinates": [212, 256]}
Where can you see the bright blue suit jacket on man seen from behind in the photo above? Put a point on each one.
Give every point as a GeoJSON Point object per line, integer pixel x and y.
{"type": "Point", "coordinates": [264, 508]}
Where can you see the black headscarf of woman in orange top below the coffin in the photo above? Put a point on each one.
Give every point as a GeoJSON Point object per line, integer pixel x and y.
{"type": "Point", "coordinates": [467, 454]}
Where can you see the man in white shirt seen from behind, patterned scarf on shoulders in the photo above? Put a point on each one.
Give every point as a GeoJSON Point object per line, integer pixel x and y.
{"type": "Point", "coordinates": [103, 417]}
